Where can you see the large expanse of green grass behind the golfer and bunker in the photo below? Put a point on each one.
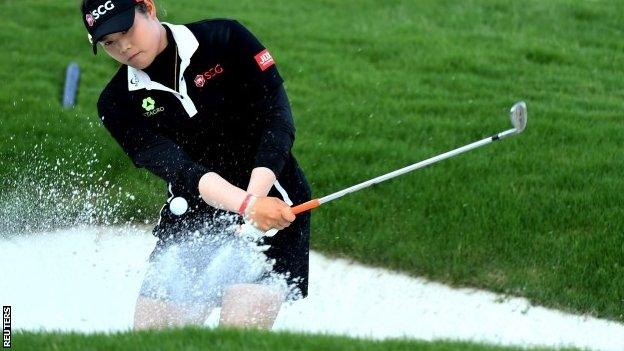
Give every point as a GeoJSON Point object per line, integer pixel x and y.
{"type": "Point", "coordinates": [377, 85]}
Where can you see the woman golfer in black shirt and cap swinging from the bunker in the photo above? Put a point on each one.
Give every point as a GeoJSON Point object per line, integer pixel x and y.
{"type": "Point", "coordinates": [202, 106]}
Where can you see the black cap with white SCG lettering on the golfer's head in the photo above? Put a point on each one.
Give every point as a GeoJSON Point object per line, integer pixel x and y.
{"type": "Point", "coordinates": [103, 17]}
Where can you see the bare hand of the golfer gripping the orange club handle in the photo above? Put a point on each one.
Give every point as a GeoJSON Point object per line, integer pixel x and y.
{"type": "Point", "coordinates": [269, 213]}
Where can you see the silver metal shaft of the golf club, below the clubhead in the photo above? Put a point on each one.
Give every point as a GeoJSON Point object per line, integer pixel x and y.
{"type": "Point", "coordinates": [415, 166]}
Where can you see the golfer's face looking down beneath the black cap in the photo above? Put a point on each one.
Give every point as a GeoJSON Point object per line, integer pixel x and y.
{"type": "Point", "coordinates": [138, 46]}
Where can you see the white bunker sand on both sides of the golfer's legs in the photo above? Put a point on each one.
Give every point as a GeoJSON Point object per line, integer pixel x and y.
{"type": "Point", "coordinates": [87, 279]}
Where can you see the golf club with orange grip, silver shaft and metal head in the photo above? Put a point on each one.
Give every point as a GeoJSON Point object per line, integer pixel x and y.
{"type": "Point", "coordinates": [518, 115]}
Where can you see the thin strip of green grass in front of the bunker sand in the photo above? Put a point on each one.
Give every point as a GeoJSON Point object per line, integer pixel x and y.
{"type": "Point", "coordinates": [224, 340]}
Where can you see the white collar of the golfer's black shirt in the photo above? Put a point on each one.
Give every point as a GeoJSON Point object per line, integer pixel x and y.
{"type": "Point", "coordinates": [187, 45]}
